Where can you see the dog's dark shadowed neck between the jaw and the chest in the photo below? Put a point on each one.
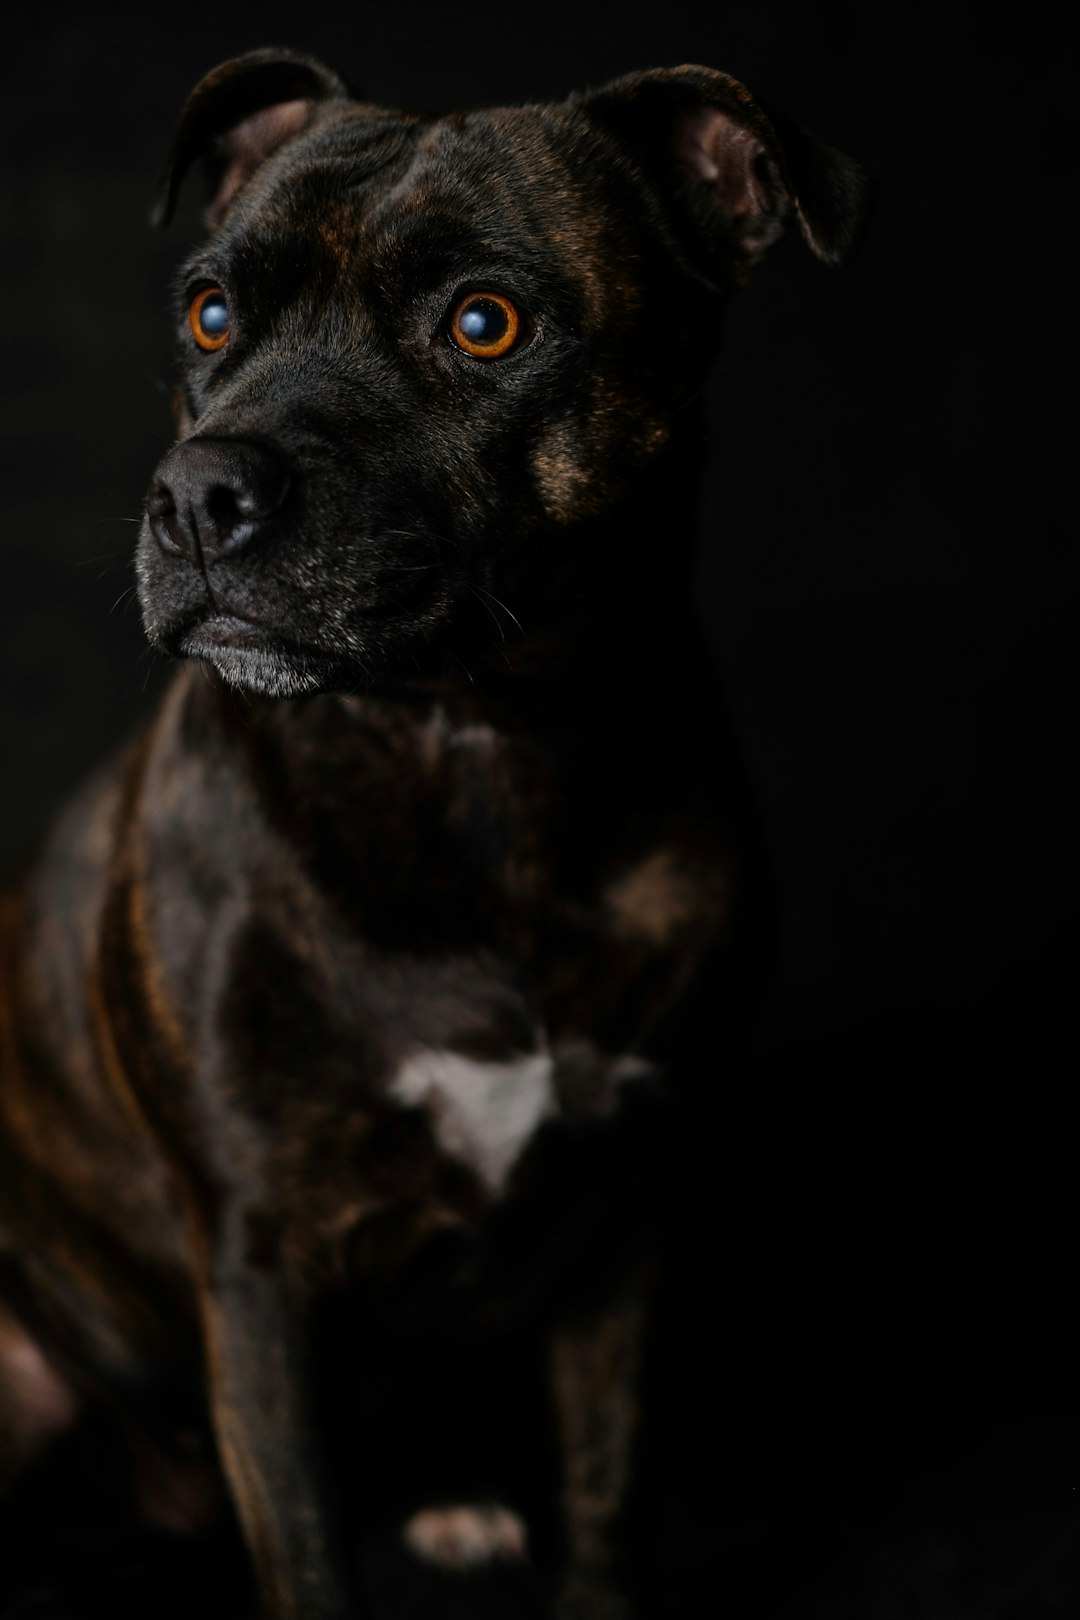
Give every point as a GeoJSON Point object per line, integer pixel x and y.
{"type": "Point", "coordinates": [509, 775]}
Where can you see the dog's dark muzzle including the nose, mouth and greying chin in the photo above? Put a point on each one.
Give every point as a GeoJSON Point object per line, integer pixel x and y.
{"type": "Point", "coordinates": [339, 586]}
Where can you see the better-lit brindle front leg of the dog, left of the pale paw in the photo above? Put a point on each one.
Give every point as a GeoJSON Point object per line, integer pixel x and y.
{"type": "Point", "coordinates": [261, 1412]}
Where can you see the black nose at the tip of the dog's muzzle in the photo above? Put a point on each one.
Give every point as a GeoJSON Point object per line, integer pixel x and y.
{"type": "Point", "coordinates": [213, 497]}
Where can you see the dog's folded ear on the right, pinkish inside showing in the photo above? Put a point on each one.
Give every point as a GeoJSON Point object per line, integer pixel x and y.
{"type": "Point", "coordinates": [729, 173]}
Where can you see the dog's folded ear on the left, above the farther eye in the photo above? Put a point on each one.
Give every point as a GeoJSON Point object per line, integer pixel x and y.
{"type": "Point", "coordinates": [237, 116]}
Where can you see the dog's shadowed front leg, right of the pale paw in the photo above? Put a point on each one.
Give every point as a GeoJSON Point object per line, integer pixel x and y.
{"type": "Point", "coordinates": [597, 1362]}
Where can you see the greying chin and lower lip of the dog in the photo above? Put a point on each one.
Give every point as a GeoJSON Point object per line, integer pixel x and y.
{"type": "Point", "coordinates": [253, 660]}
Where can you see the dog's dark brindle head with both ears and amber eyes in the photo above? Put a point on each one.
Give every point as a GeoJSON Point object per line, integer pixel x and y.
{"type": "Point", "coordinates": [436, 372]}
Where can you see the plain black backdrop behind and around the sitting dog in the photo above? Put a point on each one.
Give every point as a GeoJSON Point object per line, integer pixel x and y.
{"type": "Point", "coordinates": [878, 1321]}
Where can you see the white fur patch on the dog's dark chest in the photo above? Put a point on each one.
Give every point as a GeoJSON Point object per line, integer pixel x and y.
{"type": "Point", "coordinates": [482, 1114]}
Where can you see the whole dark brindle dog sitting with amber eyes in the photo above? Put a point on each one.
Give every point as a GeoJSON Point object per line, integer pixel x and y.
{"type": "Point", "coordinates": [339, 1015]}
